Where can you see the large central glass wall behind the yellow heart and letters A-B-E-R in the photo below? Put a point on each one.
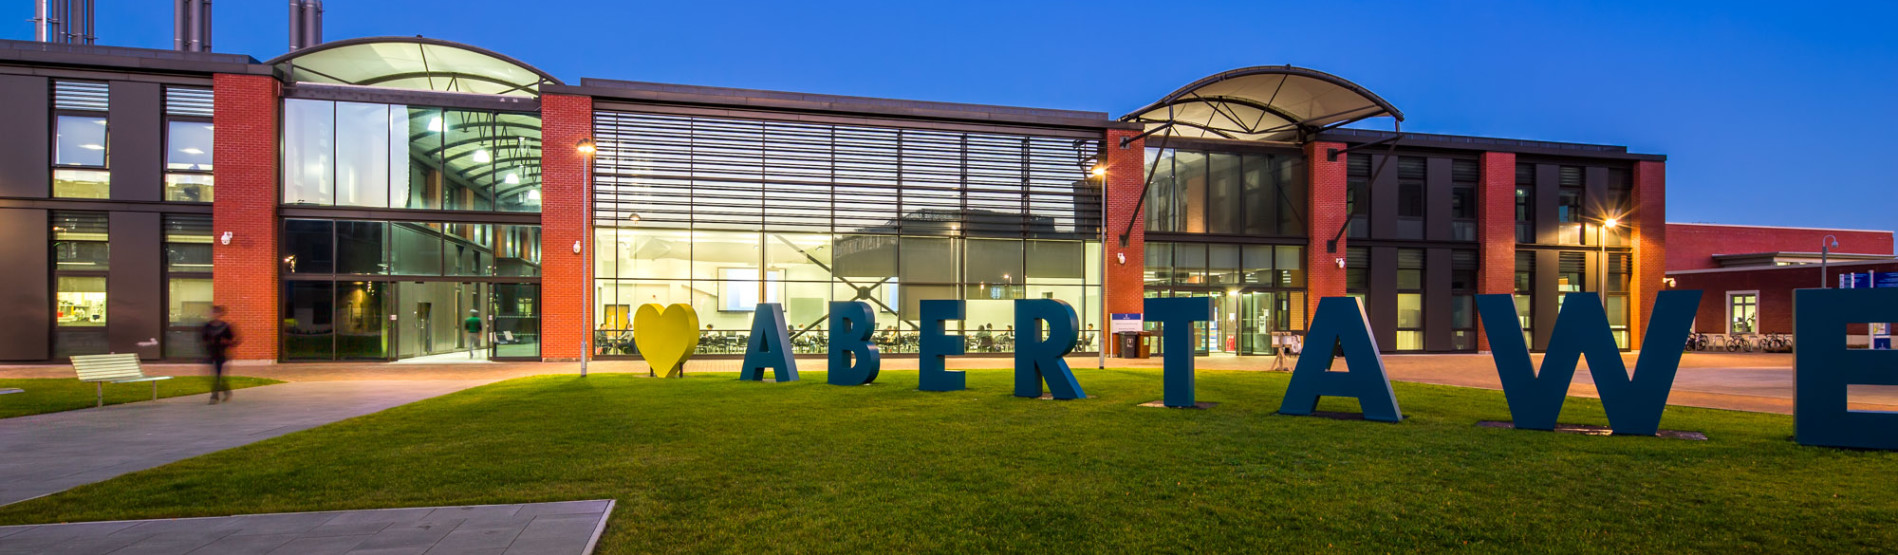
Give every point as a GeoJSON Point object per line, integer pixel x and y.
{"type": "Point", "coordinates": [730, 214]}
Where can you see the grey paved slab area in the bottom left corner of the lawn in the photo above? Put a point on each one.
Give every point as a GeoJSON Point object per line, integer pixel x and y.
{"type": "Point", "coordinates": [532, 529]}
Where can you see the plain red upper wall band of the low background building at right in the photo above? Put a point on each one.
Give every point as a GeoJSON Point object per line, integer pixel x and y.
{"type": "Point", "coordinates": [1696, 244]}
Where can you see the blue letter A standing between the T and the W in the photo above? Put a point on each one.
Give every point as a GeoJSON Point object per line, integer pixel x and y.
{"type": "Point", "coordinates": [1341, 322]}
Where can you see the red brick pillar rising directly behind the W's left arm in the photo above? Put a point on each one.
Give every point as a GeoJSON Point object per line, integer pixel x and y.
{"type": "Point", "coordinates": [1497, 220]}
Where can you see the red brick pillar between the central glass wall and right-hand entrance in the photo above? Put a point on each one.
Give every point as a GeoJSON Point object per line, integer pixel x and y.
{"type": "Point", "coordinates": [1126, 180]}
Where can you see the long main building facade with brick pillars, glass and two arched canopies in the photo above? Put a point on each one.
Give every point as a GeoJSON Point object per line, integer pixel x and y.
{"type": "Point", "coordinates": [367, 199]}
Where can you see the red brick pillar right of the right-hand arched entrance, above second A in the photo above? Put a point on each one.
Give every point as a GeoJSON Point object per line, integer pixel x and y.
{"type": "Point", "coordinates": [1326, 212]}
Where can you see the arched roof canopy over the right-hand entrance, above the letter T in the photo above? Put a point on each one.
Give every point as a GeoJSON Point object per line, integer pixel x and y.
{"type": "Point", "coordinates": [1263, 104]}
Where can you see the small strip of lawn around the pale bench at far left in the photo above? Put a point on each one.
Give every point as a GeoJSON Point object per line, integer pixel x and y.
{"type": "Point", "coordinates": [67, 394]}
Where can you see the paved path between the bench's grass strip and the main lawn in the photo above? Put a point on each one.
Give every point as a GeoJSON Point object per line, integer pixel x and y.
{"type": "Point", "coordinates": [52, 453]}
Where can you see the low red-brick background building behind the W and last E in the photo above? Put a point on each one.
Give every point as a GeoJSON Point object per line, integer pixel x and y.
{"type": "Point", "coordinates": [1751, 273]}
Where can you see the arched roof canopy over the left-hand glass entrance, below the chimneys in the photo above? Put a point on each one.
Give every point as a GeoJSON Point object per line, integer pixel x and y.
{"type": "Point", "coordinates": [413, 64]}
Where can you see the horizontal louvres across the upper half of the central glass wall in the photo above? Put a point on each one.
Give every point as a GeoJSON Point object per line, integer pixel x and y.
{"type": "Point", "coordinates": [715, 174]}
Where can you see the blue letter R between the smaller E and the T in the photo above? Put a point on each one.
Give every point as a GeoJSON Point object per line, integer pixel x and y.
{"type": "Point", "coordinates": [1041, 360]}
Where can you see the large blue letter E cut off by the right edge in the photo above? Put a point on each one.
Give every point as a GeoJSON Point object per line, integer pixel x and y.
{"type": "Point", "coordinates": [1825, 368]}
